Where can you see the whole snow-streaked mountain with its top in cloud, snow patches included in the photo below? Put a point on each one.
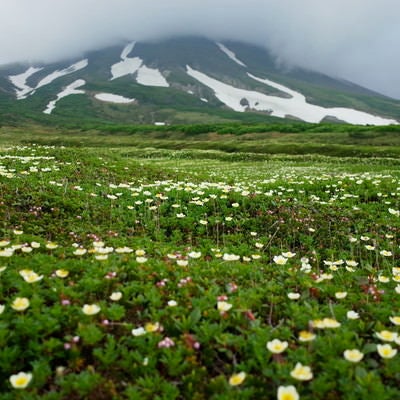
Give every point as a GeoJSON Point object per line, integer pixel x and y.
{"type": "Point", "coordinates": [183, 80]}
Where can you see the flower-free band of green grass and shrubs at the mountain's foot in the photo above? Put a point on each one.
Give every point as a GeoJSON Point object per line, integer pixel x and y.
{"type": "Point", "coordinates": [261, 140]}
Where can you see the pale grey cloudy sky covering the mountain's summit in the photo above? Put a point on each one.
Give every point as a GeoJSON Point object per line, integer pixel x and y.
{"type": "Point", "coordinates": [357, 40]}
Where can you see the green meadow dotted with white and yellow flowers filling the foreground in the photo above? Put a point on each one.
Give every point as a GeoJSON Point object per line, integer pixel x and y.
{"type": "Point", "coordinates": [139, 275]}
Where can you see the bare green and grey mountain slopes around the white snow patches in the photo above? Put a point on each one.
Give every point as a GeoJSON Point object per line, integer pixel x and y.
{"type": "Point", "coordinates": [181, 103]}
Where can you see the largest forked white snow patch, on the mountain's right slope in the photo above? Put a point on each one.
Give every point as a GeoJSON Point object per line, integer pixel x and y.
{"type": "Point", "coordinates": [295, 106]}
